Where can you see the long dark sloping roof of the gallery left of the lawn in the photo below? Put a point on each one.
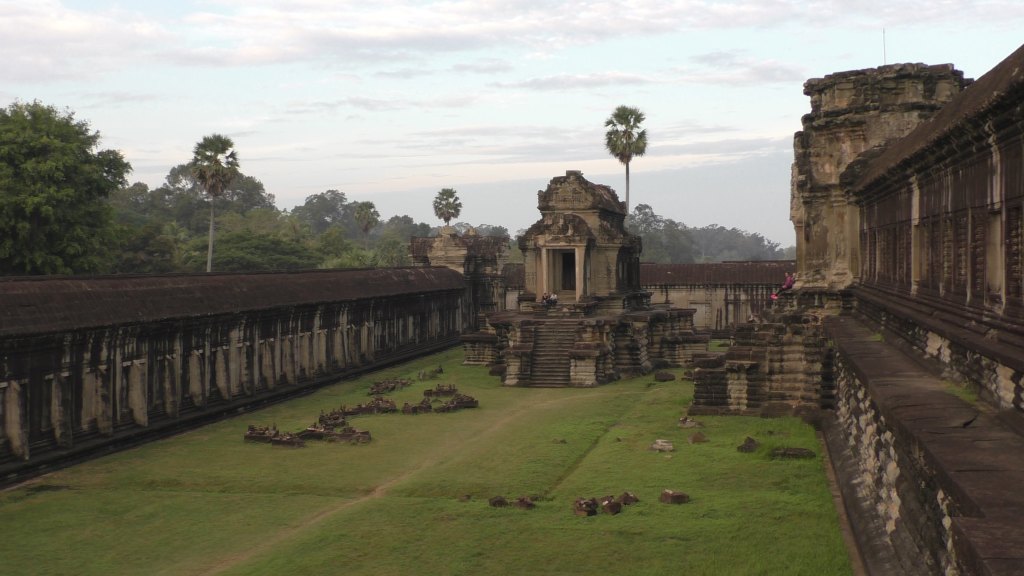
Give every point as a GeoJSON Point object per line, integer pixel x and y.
{"type": "Point", "coordinates": [41, 305]}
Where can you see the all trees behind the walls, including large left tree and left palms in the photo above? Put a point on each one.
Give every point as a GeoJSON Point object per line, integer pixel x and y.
{"type": "Point", "coordinates": [68, 209]}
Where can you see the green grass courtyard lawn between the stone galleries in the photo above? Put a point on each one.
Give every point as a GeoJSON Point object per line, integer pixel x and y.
{"type": "Point", "coordinates": [414, 501]}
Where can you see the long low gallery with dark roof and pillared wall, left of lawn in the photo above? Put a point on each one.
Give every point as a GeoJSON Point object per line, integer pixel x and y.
{"type": "Point", "coordinates": [94, 362]}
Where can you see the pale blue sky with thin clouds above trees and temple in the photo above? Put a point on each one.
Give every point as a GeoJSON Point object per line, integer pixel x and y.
{"type": "Point", "coordinates": [393, 101]}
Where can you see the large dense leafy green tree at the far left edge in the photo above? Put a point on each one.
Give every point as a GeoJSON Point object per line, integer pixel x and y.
{"type": "Point", "coordinates": [54, 185]}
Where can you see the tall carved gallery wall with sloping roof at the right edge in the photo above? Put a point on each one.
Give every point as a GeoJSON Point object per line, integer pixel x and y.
{"type": "Point", "coordinates": [942, 236]}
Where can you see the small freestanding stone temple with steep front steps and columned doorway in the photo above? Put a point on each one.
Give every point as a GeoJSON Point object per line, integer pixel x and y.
{"type": "Point", "coordinates": [603, 324]}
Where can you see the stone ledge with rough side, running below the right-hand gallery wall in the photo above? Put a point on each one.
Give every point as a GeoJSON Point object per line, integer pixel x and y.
{"type": "Point", "coordinates": [944, 476]}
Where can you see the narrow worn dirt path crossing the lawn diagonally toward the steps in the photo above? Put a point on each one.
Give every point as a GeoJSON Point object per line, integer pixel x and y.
{"type": "Point", "coordinates": [429, 461]}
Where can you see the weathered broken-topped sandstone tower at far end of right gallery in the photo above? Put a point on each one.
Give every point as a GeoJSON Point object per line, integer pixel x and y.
{"type": "Point", "coordinates": [852, 113]}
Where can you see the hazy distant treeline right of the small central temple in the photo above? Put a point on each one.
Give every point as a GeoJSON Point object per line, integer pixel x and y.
{"type": "Point", "coordinates": [666, 241]}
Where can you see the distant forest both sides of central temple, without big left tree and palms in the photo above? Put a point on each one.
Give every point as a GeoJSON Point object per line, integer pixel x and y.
{"type": "Point", "coordinates": [165, 230]}
